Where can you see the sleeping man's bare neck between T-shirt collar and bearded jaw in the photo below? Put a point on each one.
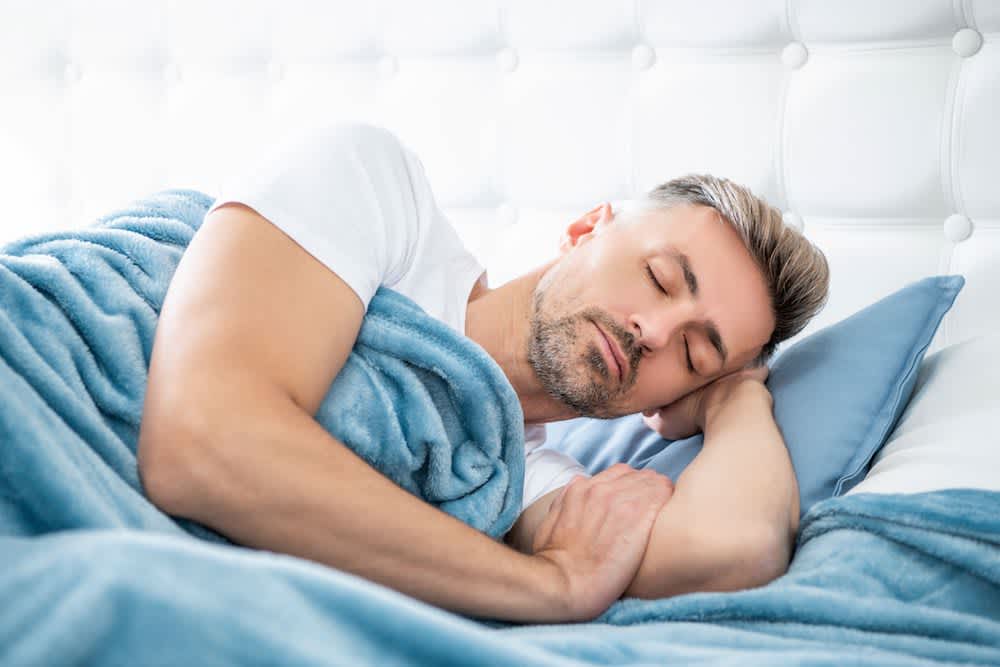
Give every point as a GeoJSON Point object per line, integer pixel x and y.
{"type": "Point", "coordinates": [498, 320]}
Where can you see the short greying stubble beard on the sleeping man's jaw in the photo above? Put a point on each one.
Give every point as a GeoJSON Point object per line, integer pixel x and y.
{"type": "Point", "coordinates": [566, 374]}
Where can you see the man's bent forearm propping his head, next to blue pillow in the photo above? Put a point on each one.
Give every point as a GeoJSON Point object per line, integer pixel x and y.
{"type": "Point", "coordinates": [732, 520]}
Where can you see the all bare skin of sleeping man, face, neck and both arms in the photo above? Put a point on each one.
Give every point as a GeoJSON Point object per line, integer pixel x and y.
{"type": "Point", "coordinates": [253, 330]}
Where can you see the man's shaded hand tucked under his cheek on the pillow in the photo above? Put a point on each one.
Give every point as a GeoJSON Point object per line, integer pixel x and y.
{"type": "Point", "coordinates": [687, 415]}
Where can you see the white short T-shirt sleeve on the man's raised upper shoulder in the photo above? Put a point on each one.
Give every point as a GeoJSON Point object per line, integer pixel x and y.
{"type": "Point", "coordinates": [344, 193]}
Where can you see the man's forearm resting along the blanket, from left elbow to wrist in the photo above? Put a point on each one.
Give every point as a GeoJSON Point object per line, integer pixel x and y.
{"type": "Point", "coordinates": [290, 487]}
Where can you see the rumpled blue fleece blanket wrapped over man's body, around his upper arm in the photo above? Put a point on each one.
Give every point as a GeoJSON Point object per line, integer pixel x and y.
{"type": "Point", "coordinates": [78, 310]}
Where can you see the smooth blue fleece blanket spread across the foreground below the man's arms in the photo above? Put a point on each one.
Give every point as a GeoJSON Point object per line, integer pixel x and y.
{"type": "Point", "coordinates": [876, 580]}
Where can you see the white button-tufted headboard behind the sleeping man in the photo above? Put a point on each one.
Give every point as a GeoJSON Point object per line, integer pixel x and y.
{"type": "Point", "coordinates": [871, 124]}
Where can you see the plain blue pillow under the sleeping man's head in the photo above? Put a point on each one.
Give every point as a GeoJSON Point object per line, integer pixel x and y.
{"type": "Point", "coordinates": [837, 396]}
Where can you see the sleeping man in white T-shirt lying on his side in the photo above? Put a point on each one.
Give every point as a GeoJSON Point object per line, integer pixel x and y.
{"type": "Point", "coordinates": [670, 309]}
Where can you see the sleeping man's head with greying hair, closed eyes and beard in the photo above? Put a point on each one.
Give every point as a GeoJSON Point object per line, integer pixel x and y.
{"type": "Point", "coordinates": [699, 270]}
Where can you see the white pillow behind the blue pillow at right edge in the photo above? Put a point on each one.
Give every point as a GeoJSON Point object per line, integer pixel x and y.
{"type": "Point", "coordinates": [949, 434]}
